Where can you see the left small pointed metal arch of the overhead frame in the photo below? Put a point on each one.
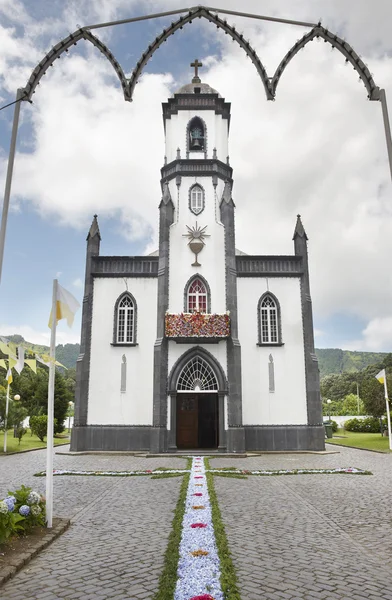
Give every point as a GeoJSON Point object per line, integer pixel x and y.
{"type": "Point", "coordinates": [62, 47]}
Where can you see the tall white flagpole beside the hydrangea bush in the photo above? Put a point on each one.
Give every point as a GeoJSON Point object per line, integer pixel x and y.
{"type": "Point", "coordinates": [49, 435]}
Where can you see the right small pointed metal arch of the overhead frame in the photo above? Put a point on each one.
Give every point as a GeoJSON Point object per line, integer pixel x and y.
{"type": "Point", "coordinates": [343, 47]}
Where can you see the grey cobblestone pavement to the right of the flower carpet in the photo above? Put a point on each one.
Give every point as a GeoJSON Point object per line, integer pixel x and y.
{"type": "Point", "coordinates": [311, 536]}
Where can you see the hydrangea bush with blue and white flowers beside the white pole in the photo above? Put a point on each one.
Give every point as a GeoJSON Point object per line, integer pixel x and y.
{"type": "Point", "coordinates": [20, 511]}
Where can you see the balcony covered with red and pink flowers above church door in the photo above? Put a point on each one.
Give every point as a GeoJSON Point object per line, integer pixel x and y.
{"type": "Point", "coordinates": [191, 327]}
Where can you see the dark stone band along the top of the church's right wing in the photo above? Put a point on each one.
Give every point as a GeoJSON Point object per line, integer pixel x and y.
{"type": "Point", "coordinates": [269, 266]}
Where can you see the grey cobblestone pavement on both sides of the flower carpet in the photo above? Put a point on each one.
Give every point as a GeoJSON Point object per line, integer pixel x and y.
{"type": "Point", "coordinates": [298, 537]}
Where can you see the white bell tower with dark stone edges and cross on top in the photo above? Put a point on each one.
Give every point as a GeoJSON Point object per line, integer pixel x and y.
{"type": "Point", "coordinates": [196, 252]}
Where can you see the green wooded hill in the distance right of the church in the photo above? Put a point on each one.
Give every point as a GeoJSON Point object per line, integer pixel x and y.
{"type": "Point", "coordinates": [334, 360]}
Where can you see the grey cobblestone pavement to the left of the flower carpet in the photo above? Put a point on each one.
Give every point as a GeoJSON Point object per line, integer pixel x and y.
{"type": "Point", "coordinates": [118, 536]}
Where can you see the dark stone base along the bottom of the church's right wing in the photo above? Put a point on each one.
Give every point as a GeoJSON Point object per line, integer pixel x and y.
{"type": "Point", "coordinates": [280, 438]}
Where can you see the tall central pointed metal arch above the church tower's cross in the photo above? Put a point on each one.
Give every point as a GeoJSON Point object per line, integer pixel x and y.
{"type": "Point", "coordinates": [193, 14]}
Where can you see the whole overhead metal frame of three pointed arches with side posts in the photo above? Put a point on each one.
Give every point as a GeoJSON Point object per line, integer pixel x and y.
{"type": "Point", "coordinates": [26, 93]}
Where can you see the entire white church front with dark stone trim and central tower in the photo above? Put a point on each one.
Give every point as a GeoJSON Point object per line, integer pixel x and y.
{"type": "Point", "coordinates": [198, 346]}
